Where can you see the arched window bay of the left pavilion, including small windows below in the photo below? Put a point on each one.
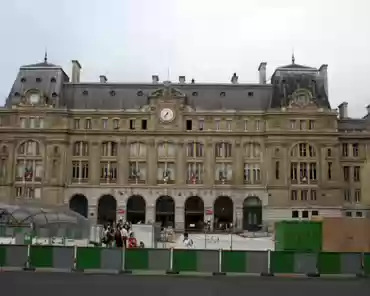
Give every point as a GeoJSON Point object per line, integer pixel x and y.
{"type": "Point", "coordinates": [29, 170]}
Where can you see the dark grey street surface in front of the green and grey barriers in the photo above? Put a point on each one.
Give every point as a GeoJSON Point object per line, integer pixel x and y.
{"type": "Point", "coordinates": [28, 283]}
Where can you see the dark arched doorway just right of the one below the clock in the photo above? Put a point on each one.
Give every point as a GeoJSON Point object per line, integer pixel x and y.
{"type": "Point", "coordinates": [194, 214]}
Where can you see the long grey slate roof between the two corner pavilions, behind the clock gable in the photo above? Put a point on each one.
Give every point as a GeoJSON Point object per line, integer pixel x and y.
{"type": "Point", "coordinates": [200, 96]}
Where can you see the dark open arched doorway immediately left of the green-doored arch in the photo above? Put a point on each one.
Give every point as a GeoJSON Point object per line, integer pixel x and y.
{"type": "Point", "coordinates": [223, 213]}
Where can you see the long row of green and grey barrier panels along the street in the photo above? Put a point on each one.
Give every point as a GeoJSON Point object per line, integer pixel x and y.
{"type": "Point", "coordinates": [174, 261]}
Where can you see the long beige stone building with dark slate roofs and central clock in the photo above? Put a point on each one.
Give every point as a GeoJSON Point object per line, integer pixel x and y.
{"type": "Point", "coordinates": [269, 151]}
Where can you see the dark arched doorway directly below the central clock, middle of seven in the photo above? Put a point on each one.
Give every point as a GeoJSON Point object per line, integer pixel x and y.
{"type": "Point", "coordinates": [165, 211]}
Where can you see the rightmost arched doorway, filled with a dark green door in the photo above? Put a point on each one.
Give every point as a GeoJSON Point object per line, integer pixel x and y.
{"type": "Point", "coordinates": [252, 213]}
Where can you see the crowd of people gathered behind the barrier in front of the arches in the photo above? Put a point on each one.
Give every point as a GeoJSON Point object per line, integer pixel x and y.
{"type": "Point", "coordinates": [120, 235]}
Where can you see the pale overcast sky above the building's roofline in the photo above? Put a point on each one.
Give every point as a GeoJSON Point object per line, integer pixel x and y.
{"type": "Point", "coordinates": [130, 40]}
